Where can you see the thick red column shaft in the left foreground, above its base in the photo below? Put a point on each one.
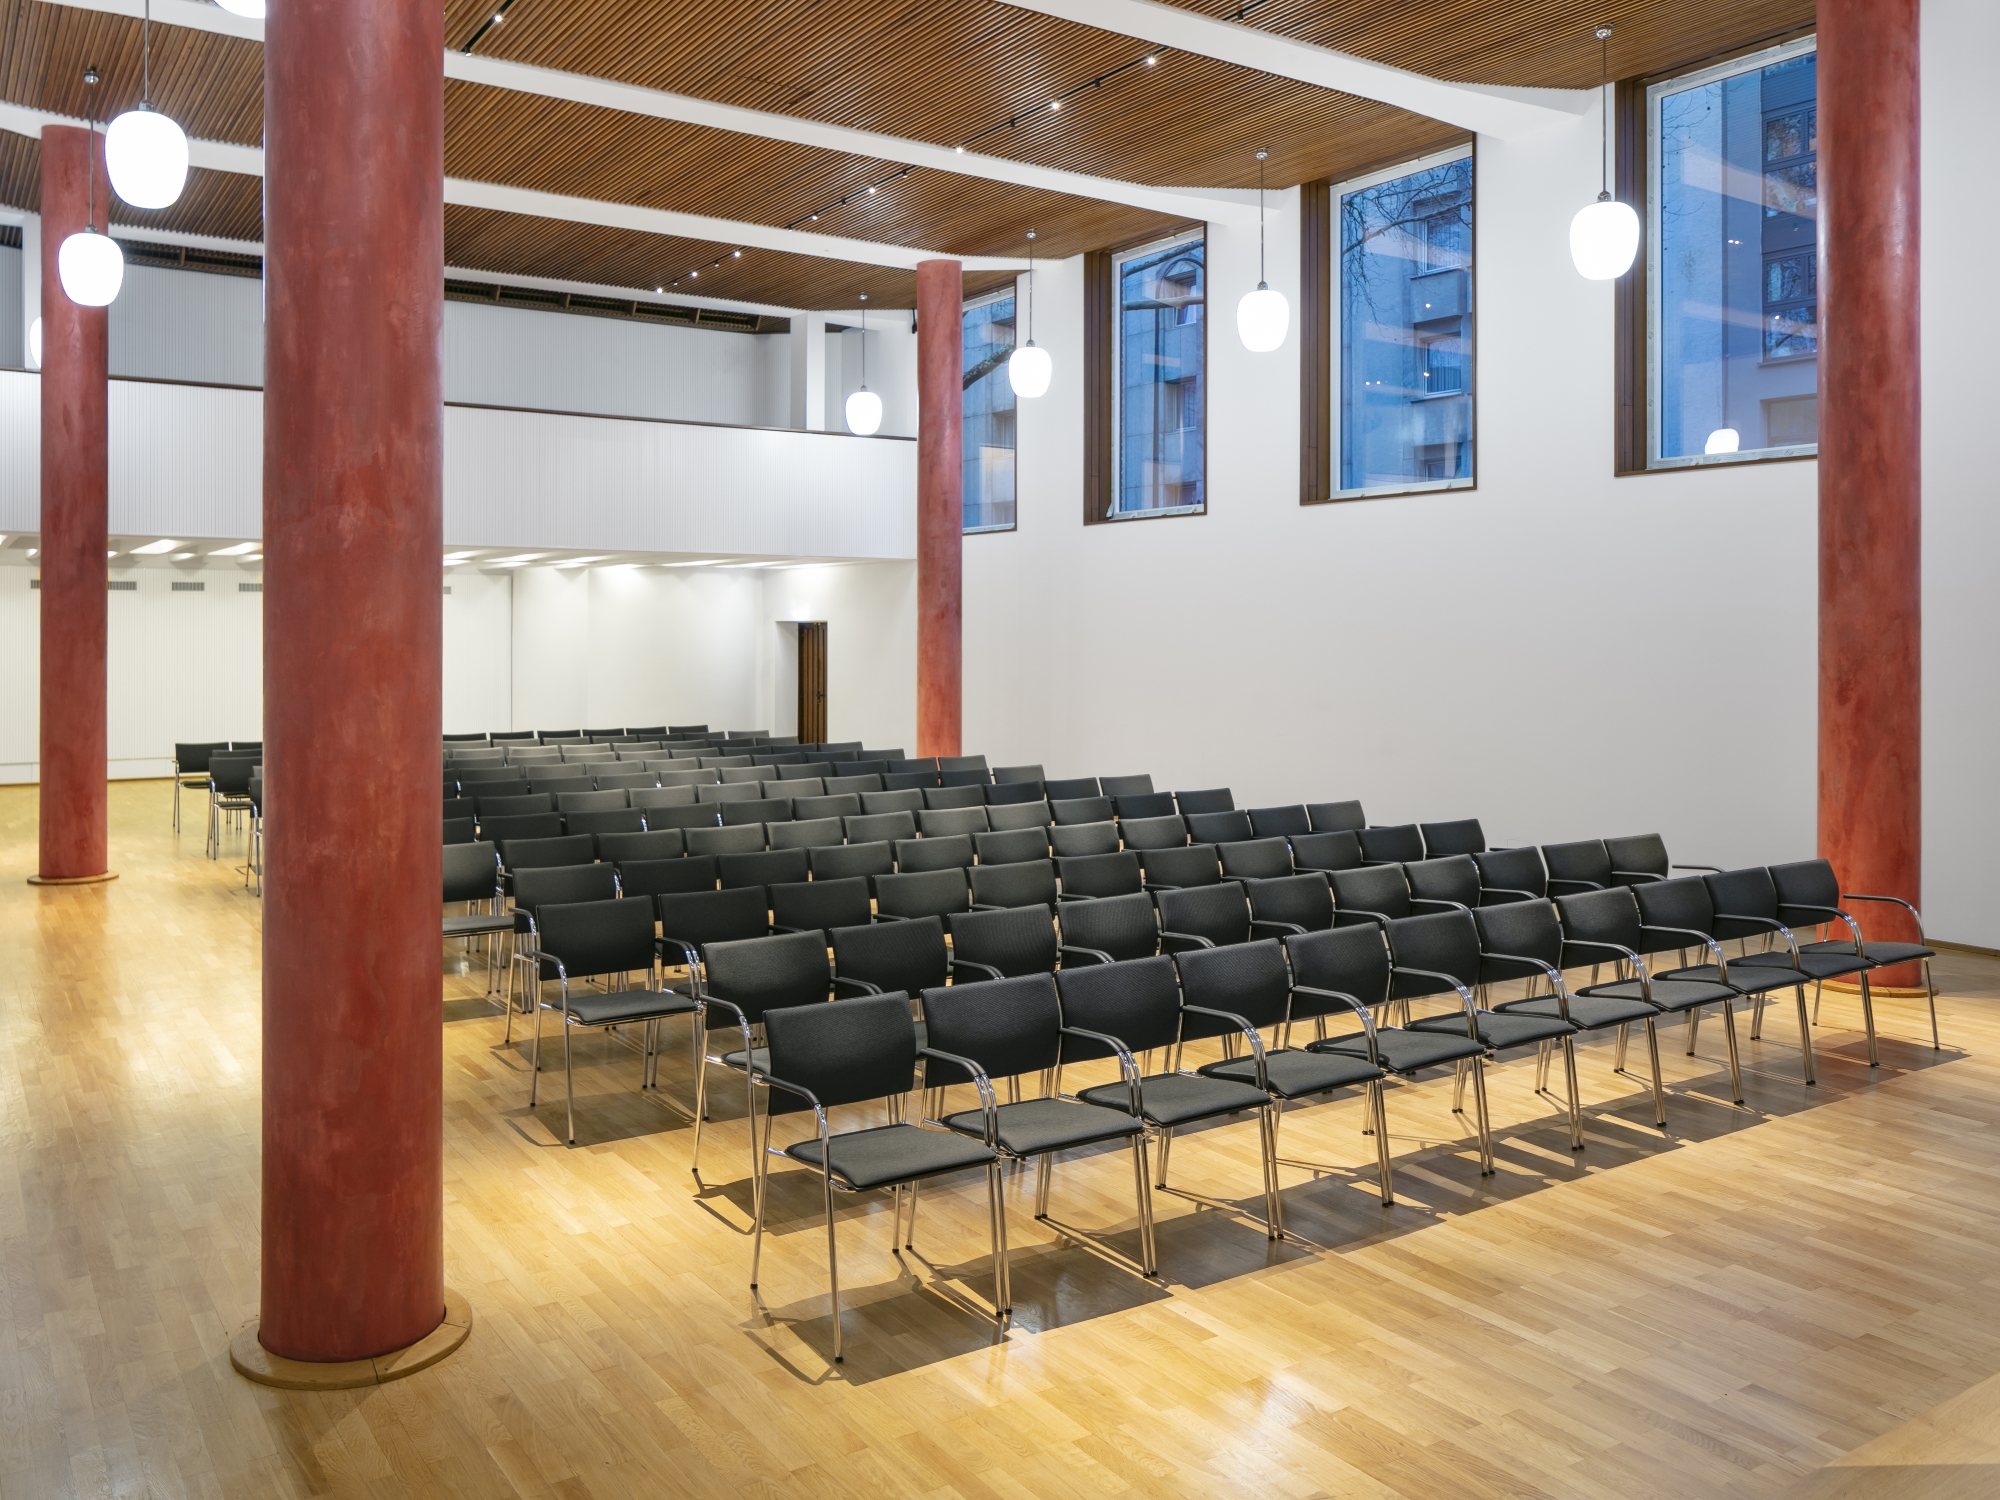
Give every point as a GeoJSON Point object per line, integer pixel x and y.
{"type": "Point", "coordinates": [353, 699]}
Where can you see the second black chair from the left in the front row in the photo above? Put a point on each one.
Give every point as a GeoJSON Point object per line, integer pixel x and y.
{"type": "Point", "coordinates": [1015, 1027]}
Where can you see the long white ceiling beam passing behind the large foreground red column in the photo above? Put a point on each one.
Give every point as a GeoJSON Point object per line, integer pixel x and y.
{"type": "Point", "coordinates": [1219, 205]}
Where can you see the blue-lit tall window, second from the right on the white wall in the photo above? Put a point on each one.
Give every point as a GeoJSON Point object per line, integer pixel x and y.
{"type": "Point", "coordinates": [1403, 281]}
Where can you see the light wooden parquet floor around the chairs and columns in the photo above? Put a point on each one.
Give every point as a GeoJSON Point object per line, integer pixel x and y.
{"type": "Point", "coordinates": [1717, 1311]}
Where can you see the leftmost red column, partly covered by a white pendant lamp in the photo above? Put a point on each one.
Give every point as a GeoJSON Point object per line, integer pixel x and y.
{"type": "Point", "coordinates": [75, 477]}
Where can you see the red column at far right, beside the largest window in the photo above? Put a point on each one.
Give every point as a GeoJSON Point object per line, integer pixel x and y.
{"type": "Point", "coordinates": [1871, 457]}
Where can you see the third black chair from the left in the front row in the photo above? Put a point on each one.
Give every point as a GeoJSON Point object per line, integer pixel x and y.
{"type": "Point", "coordinates": [1119, 1011]}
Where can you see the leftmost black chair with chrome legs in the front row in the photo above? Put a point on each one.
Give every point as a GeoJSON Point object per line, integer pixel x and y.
{"type": "Point", "coordinates": [825, 1057]}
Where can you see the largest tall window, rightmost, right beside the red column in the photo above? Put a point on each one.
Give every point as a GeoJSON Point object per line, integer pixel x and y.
{"type": "Point", "coordinates": [1735, 197]}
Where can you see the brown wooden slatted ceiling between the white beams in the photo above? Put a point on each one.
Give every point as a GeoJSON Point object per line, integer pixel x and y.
{"type": "Point", "coordinates": [929, 71]}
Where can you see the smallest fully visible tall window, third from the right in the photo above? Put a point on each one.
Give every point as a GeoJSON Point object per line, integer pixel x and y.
{"type": "Point", "coordinates": [1159, 363]}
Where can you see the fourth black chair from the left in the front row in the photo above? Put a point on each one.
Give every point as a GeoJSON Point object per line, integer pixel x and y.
{"type": "Point", "coordinates": [1253, 987]}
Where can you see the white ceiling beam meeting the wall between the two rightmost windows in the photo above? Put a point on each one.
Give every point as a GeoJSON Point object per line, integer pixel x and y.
{"type": "Point", "coordinates": [1483, 109]}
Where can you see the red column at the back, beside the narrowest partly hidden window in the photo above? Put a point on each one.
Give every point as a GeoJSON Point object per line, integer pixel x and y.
{"type": "Point", "coordinates": [941, 419]}
